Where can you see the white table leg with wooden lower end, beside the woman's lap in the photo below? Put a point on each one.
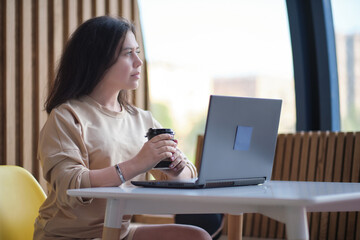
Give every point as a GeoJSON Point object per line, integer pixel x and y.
{"type": "Point", "coordinates": [113, 219]}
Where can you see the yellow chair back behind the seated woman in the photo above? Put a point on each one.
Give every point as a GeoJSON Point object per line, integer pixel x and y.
{"type": "Point", "coordinates": [20, 199]}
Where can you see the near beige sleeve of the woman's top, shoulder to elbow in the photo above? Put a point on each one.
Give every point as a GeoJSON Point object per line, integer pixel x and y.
{"type": "Point", "coordinates": [63, 155]}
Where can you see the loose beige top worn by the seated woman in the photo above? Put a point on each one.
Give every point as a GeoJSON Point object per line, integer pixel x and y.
{"type": "Point", "coordinates": [80, 135]}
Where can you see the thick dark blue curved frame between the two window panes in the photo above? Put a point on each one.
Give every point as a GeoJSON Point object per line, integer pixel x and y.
{"type": "Point", "coordinates": [315, 65]}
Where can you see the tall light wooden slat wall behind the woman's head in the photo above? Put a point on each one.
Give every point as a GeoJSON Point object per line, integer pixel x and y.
{"type": "Point", "coordinates": [32, 35]}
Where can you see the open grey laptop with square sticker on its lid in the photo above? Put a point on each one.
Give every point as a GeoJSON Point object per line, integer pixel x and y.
{"type": "Point", "coordinates": [239, 144]}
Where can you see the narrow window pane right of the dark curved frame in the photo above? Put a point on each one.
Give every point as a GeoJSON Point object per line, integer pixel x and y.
{"type": "Point", "coordinates": [347, 37]}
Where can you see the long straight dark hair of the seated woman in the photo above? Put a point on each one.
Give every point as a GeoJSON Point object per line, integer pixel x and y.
{"type": "Point", "coordinates": [92, 49]}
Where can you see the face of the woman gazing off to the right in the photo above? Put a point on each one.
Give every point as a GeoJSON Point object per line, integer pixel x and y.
{"type": "Point", "coordinates": [125, 73]}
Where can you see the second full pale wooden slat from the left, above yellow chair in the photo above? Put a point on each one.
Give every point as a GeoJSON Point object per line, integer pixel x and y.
{"type": "Point", "coordinates": [26, 86]}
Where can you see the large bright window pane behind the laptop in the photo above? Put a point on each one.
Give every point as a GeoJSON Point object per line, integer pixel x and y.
{"type": "Point", "coordinates": [195, 48]}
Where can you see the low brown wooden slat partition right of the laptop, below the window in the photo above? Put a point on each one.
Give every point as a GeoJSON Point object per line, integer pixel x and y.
{"type": "Point", "coordinates": [314, 156]}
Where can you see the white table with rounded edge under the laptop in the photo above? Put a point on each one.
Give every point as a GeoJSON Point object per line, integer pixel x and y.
{"type": "Point", "coordinates": [284, 201]}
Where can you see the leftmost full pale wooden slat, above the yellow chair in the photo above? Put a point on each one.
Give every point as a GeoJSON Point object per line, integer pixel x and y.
{"type": "Point", "coordinates": [10, 88]}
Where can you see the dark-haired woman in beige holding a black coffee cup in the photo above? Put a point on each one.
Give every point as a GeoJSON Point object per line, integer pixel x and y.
{"type": "Point", "coordinates": [94, 137]}
